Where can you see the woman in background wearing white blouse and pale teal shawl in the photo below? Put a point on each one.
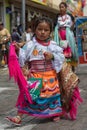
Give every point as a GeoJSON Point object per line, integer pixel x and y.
{"type": "Point", "coordinates": [64, 31]}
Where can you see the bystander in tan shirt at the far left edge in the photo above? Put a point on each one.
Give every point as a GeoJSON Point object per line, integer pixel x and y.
{"type": "Point", "coordinates": [5, 38]}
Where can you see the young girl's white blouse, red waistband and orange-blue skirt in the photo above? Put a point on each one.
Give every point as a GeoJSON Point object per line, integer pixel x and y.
{"type": "Point", "coordinates": [48, 104]}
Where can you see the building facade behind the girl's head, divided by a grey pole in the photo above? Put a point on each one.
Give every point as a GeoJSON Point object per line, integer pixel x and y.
{"type": "Point", "coordinates": [13, 11]}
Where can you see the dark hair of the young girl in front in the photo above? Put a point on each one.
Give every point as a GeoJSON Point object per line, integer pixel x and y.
{"type": "Point", "coordinates": [43, 19]}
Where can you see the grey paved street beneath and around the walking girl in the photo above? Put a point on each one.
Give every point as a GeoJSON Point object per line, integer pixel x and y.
{"type": "Point", "coordinates": [8, 96]}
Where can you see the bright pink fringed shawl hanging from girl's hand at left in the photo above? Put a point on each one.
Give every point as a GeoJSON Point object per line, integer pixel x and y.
{"type": "Point", "coordinates": [15, 71]}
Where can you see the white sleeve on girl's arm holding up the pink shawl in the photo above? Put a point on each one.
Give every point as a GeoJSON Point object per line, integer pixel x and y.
{"type": "Point", "coordinates": [24, 53]}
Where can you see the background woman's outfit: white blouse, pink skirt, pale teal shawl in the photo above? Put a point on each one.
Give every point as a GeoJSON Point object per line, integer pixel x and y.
{"type": "Point", "coordinates": [63, 32]}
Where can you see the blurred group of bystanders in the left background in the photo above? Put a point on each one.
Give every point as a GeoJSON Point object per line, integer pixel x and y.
{"type": "Point", "coordinates": [6, 38]}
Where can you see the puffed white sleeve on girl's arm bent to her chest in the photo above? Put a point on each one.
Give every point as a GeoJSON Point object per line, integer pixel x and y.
{"type": "Point", "coordinates": [59, 57]}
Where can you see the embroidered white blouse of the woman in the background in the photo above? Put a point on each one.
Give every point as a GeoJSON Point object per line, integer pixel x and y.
{"type": "Point", "coordinates": [64, 21]}
